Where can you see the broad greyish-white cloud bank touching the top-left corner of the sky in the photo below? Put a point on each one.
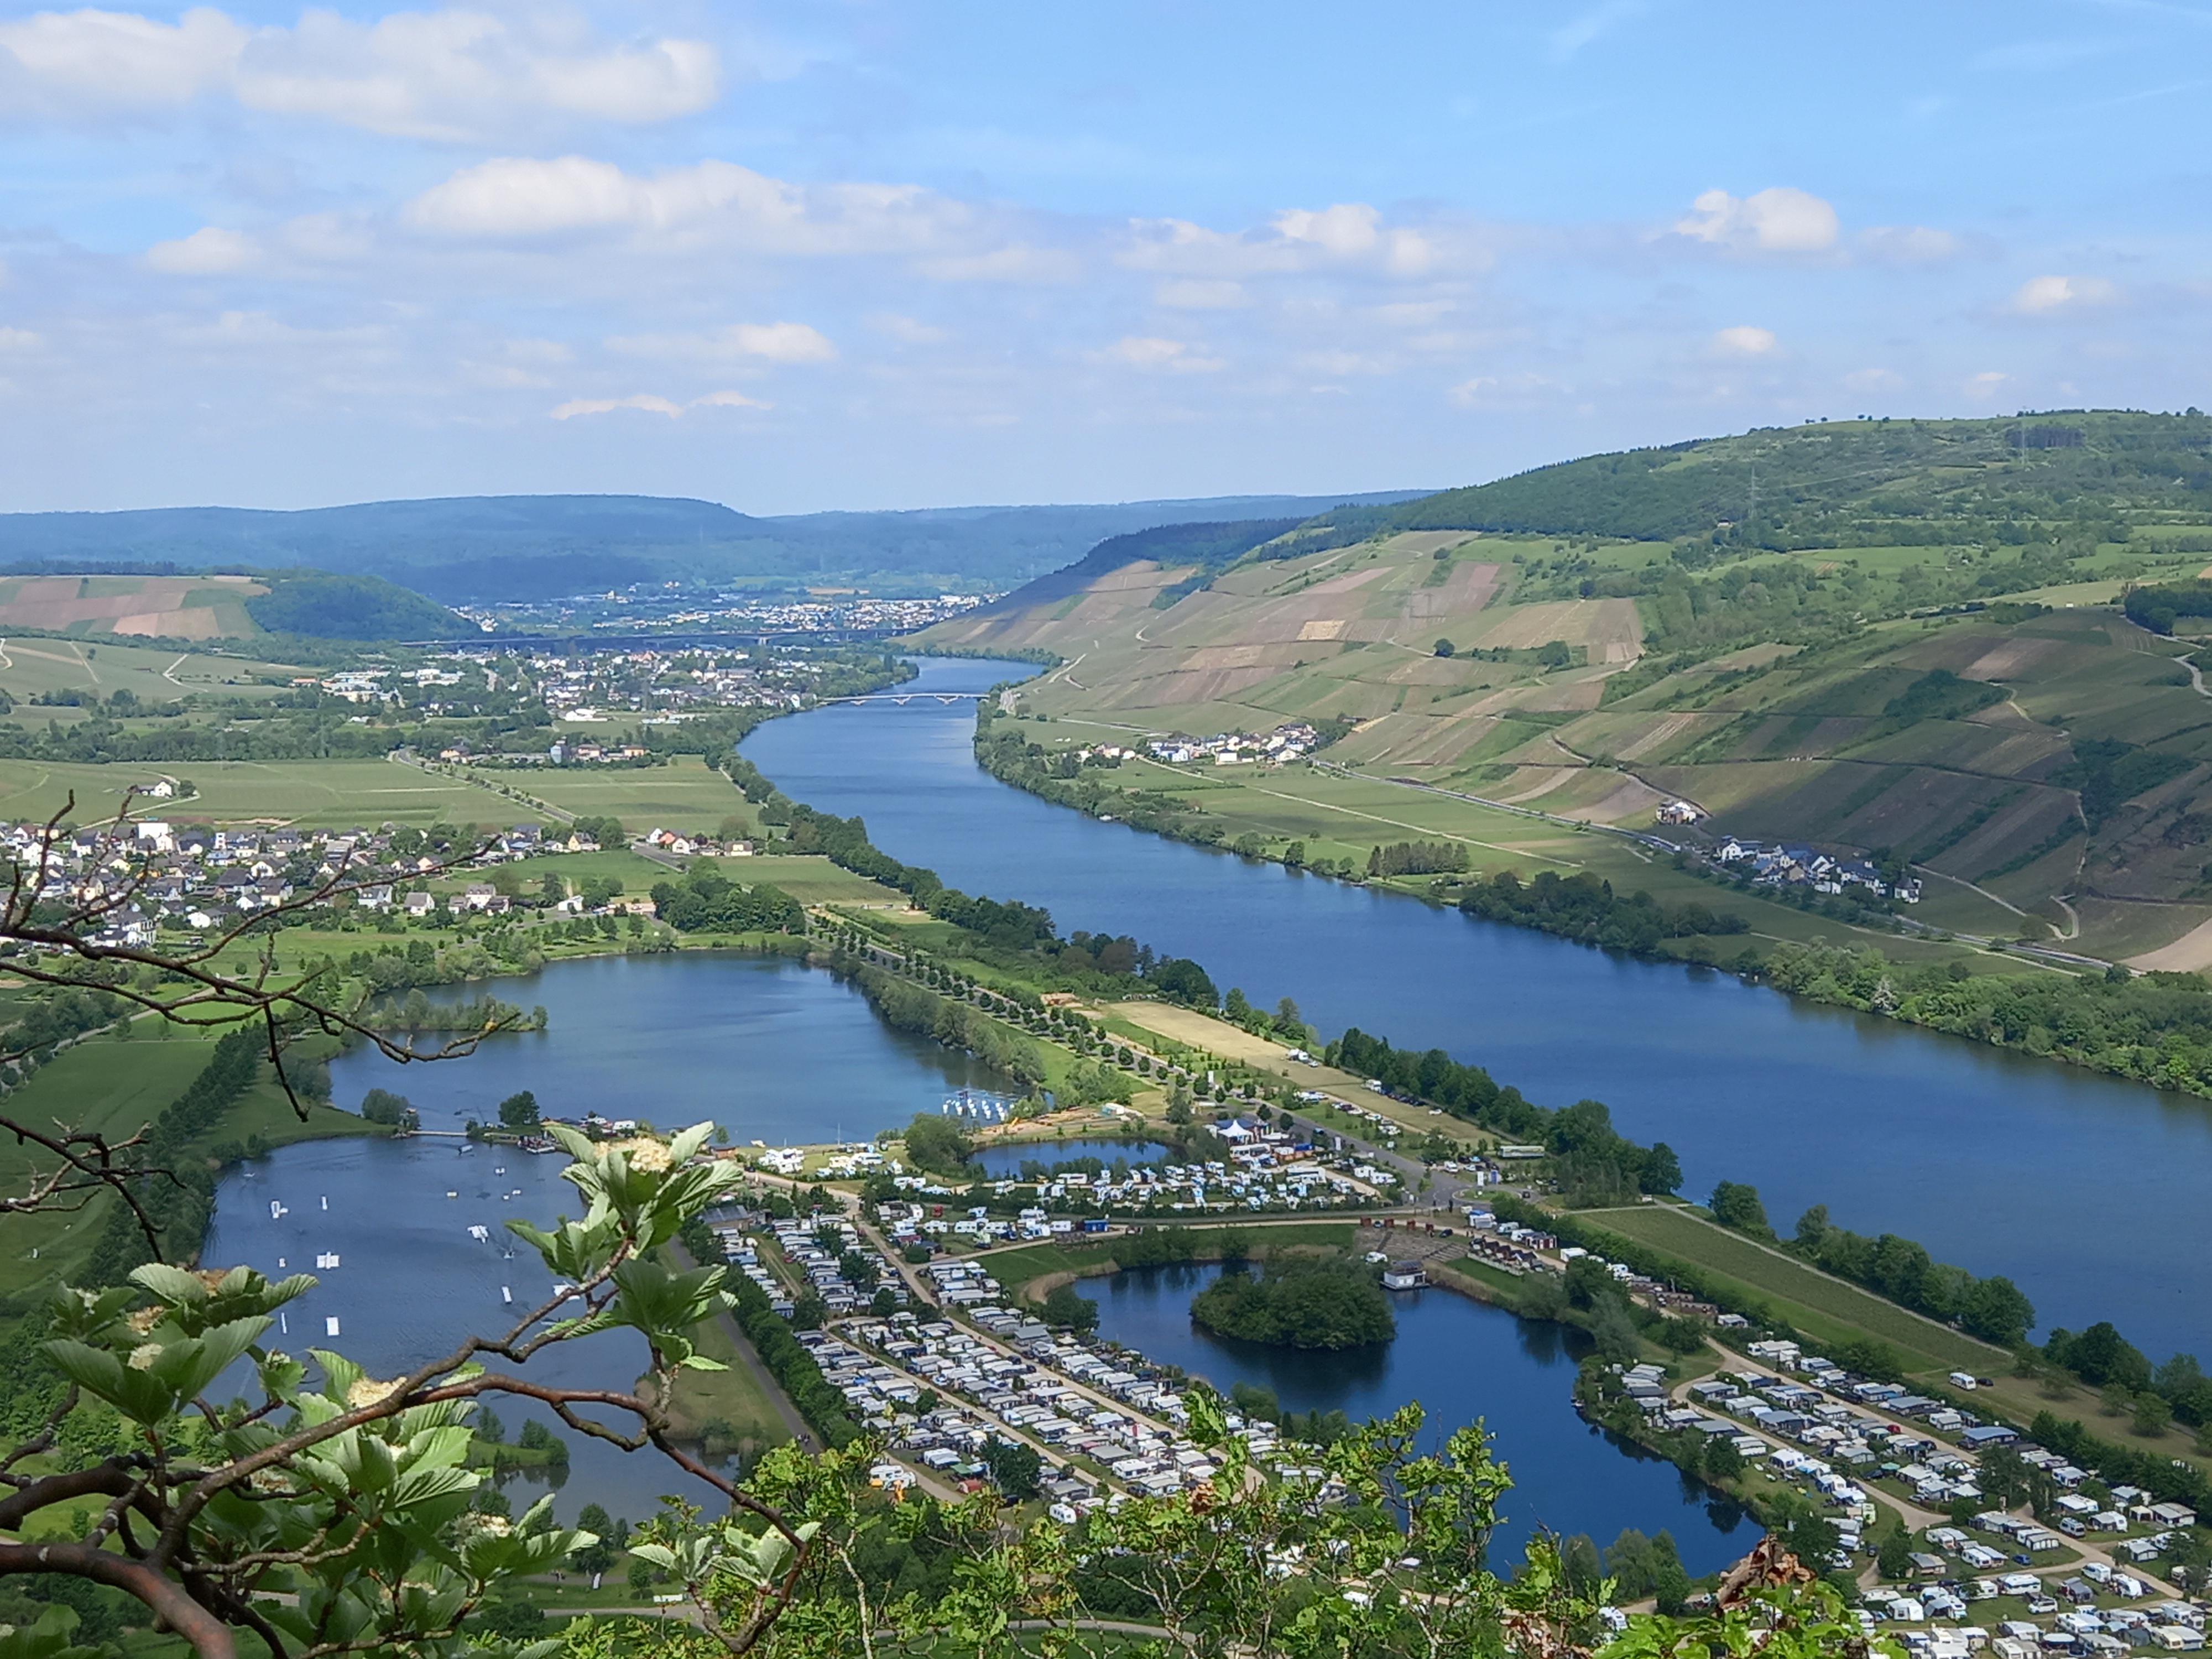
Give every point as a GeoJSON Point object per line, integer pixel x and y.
{"type": "Point", "coordinates": [419, 74]}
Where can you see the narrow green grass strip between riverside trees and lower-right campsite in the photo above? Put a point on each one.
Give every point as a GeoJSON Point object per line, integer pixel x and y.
{"type": "Point", "coordinates": [1837, 1308]}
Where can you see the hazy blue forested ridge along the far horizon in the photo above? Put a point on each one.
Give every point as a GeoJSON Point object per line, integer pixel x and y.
{"type": "Point", "coordinates": [532, 547]}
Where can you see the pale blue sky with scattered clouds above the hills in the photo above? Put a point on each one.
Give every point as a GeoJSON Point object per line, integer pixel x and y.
{"type": "Point", "coordinates": [857, 253]}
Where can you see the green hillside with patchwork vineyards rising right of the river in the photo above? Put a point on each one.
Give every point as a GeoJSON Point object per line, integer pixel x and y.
{"type": "Point", "coordinates": [1912, 649]}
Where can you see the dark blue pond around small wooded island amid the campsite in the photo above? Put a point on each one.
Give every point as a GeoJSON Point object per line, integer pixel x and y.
{"type": "Point", "coordinates": [1463, 1361]}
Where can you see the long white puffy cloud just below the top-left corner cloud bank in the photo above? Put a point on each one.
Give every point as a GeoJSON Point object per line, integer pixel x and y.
{"type": "Point", "coordinates": [512, 198]}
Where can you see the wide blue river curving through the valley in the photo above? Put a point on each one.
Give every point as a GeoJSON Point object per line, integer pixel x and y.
{"type": "Point", "coordinates": [2085, 1189]}
